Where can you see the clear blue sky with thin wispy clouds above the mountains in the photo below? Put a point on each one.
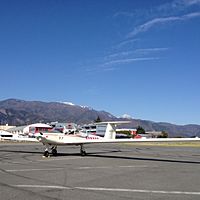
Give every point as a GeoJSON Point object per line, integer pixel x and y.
{"type": "Point", "coordinates": [139, 58]}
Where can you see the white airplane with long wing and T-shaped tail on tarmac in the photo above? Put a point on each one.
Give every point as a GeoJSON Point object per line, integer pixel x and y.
{"type": "Point", "coordinates": [52, 140]}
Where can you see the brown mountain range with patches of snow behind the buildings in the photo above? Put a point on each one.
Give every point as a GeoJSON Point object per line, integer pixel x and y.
{"type": "Point", "coordinates": [19, 112]}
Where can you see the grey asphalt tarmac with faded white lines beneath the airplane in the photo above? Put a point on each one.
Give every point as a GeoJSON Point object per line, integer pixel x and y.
{"type": "Point", "coordinates": [109, 171]}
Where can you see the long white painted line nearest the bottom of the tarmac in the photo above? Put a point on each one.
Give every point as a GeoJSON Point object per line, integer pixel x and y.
{"type": "Point", "coordinates": [109, 189]}
